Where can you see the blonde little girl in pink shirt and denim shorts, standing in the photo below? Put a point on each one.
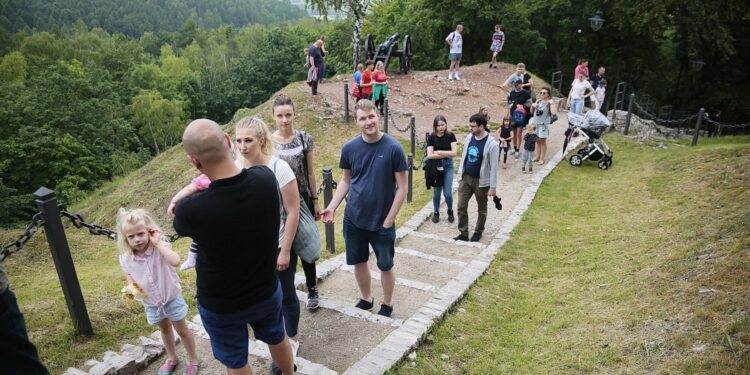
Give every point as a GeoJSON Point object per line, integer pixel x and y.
{"type": "Point", "coordinates": [148, 263]}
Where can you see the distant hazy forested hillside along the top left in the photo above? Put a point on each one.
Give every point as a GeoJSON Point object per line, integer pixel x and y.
{"type": "Point", "coordinates": [135, 17]}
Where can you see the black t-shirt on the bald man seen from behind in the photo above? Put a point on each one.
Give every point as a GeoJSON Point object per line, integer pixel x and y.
{"type": "Point", "coordinates": [235, 223]}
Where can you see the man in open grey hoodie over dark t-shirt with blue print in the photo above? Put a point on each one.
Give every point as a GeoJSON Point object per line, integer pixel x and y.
{"type": "Point", "coordinates": [477, 173]}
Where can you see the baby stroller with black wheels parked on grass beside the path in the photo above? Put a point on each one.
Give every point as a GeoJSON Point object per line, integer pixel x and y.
{"type": "Point", "coordinates": [591, 125]}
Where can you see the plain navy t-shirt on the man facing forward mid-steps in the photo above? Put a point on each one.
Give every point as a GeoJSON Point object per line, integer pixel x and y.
{"type": "Point", "coordinates": [372, 185]}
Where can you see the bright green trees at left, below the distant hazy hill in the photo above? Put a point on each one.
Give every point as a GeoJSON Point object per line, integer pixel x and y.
{"type": "Point", "coordinates": [81, 105]}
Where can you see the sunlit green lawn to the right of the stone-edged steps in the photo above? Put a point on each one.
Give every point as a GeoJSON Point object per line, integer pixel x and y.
{"type": "Point", "coordinates": [604, 272]}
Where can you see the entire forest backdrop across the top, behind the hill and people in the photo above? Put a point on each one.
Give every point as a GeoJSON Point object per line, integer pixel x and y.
{"type": "Point", "coordinates": [93, 89]}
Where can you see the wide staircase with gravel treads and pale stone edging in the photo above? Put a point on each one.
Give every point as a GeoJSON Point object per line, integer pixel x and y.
{"type": "Point", "coordinates": [433, 273]}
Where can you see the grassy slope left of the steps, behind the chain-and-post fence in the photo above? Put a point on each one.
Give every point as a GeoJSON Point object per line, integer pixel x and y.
{"type": "Point", "coordinates": [35, 282]}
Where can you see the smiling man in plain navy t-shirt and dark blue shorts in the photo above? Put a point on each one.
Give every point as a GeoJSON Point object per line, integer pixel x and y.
{"type": "Point", "coordinates": [374, 175]}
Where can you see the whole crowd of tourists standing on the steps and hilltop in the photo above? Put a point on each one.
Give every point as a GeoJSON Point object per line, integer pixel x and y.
{"type": "Point", "coordinates": [251, 212]}
